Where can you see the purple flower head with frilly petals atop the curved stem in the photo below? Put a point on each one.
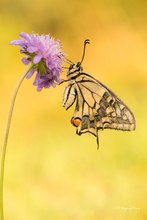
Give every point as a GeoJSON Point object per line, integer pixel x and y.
{"type": "Point", "coordinates": [45, 54]}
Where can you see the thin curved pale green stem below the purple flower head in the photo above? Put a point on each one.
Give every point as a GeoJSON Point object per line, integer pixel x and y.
{"type": "Point", "coordinates": [4, 147]}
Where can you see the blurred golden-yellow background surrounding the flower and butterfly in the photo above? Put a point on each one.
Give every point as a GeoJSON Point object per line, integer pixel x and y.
{"type": "Point", "coordinates": [51, 173]}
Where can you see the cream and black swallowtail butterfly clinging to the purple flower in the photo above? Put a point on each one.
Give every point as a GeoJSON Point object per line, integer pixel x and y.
{"type": "Point", "coordinates": [97, 107]}
